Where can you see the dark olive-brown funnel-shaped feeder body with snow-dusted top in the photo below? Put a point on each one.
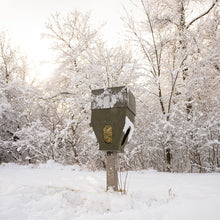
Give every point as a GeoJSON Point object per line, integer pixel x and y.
{"type": "Point", "coordinates": [113, 112]}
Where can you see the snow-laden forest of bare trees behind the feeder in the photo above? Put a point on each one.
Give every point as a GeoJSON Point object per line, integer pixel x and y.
{"type": "Point", "coordinates": [170, 61]}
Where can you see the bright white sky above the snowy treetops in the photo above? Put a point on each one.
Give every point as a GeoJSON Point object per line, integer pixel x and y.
{"type": "Point", "coordinates": [25, 19]}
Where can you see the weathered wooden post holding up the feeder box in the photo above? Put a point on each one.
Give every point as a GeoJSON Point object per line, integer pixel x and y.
{"type": "Point", "coordinates": [112, 170]}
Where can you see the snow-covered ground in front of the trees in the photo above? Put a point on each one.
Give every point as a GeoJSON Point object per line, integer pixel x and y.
{"type": "Point", "coordinates": [52, 191]}
